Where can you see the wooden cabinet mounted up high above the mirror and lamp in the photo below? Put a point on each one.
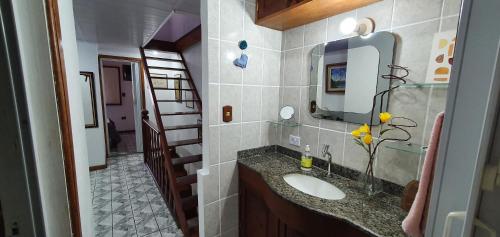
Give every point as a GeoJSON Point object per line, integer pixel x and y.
{"type": "Point", "coordinates": [286, 14]}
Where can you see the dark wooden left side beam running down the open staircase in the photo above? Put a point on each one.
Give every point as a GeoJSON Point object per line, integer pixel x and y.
{"type": "Point", "coordinates": [168, 159]}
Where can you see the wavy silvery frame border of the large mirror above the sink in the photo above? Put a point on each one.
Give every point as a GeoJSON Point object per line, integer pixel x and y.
{"type": "Point", "coordinates": [385, 43]}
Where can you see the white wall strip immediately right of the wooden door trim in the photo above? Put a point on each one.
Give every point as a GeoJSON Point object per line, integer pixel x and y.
{"type": "Point", "coordinates": [76, 110]}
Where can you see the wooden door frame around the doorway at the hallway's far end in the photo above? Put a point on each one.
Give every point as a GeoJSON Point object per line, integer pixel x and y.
{"type": "Point", "coordinates": [101, 57]}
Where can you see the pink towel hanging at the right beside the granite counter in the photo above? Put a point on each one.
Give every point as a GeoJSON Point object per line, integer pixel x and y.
{"type": "Point", "coordinates": [413, 223]}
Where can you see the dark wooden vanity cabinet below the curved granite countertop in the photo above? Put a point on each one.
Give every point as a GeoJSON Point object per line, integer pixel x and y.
{"type": "Point", "coordinates": [263, 213]}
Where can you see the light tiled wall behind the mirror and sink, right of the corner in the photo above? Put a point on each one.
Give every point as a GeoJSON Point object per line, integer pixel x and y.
{"type": "Point", "coordinates": [414, 24]}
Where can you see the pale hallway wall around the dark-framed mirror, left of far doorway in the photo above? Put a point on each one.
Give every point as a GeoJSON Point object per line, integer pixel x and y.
{"type": "Point", "coordinates": [87, 55]}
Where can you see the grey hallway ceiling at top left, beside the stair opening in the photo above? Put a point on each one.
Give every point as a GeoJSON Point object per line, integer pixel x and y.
{"type": "Point", "coordinates": [125, 22]}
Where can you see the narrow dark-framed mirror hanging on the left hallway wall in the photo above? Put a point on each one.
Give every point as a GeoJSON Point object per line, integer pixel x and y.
{"type": "Point", "coordinates": [88, 99]}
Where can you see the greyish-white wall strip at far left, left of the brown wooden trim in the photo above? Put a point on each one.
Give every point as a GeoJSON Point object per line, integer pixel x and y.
{"type": "Point", "coordinates": [42, 108]}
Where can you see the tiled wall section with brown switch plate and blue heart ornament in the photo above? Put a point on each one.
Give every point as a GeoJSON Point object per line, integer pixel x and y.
{"type": "Point", "coordinates": [253, 94]}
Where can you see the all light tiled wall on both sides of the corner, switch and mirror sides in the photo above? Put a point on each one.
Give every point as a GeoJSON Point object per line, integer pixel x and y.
{"type": "Point", "coordinates": [277, 75]}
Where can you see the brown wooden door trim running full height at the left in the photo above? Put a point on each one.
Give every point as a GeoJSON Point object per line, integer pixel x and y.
{"type": "Point", "coordinates": [61, 89]}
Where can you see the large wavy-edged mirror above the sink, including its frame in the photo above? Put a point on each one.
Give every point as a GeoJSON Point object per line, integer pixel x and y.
{"type": "Point", "coordinates": [346, 74]}
